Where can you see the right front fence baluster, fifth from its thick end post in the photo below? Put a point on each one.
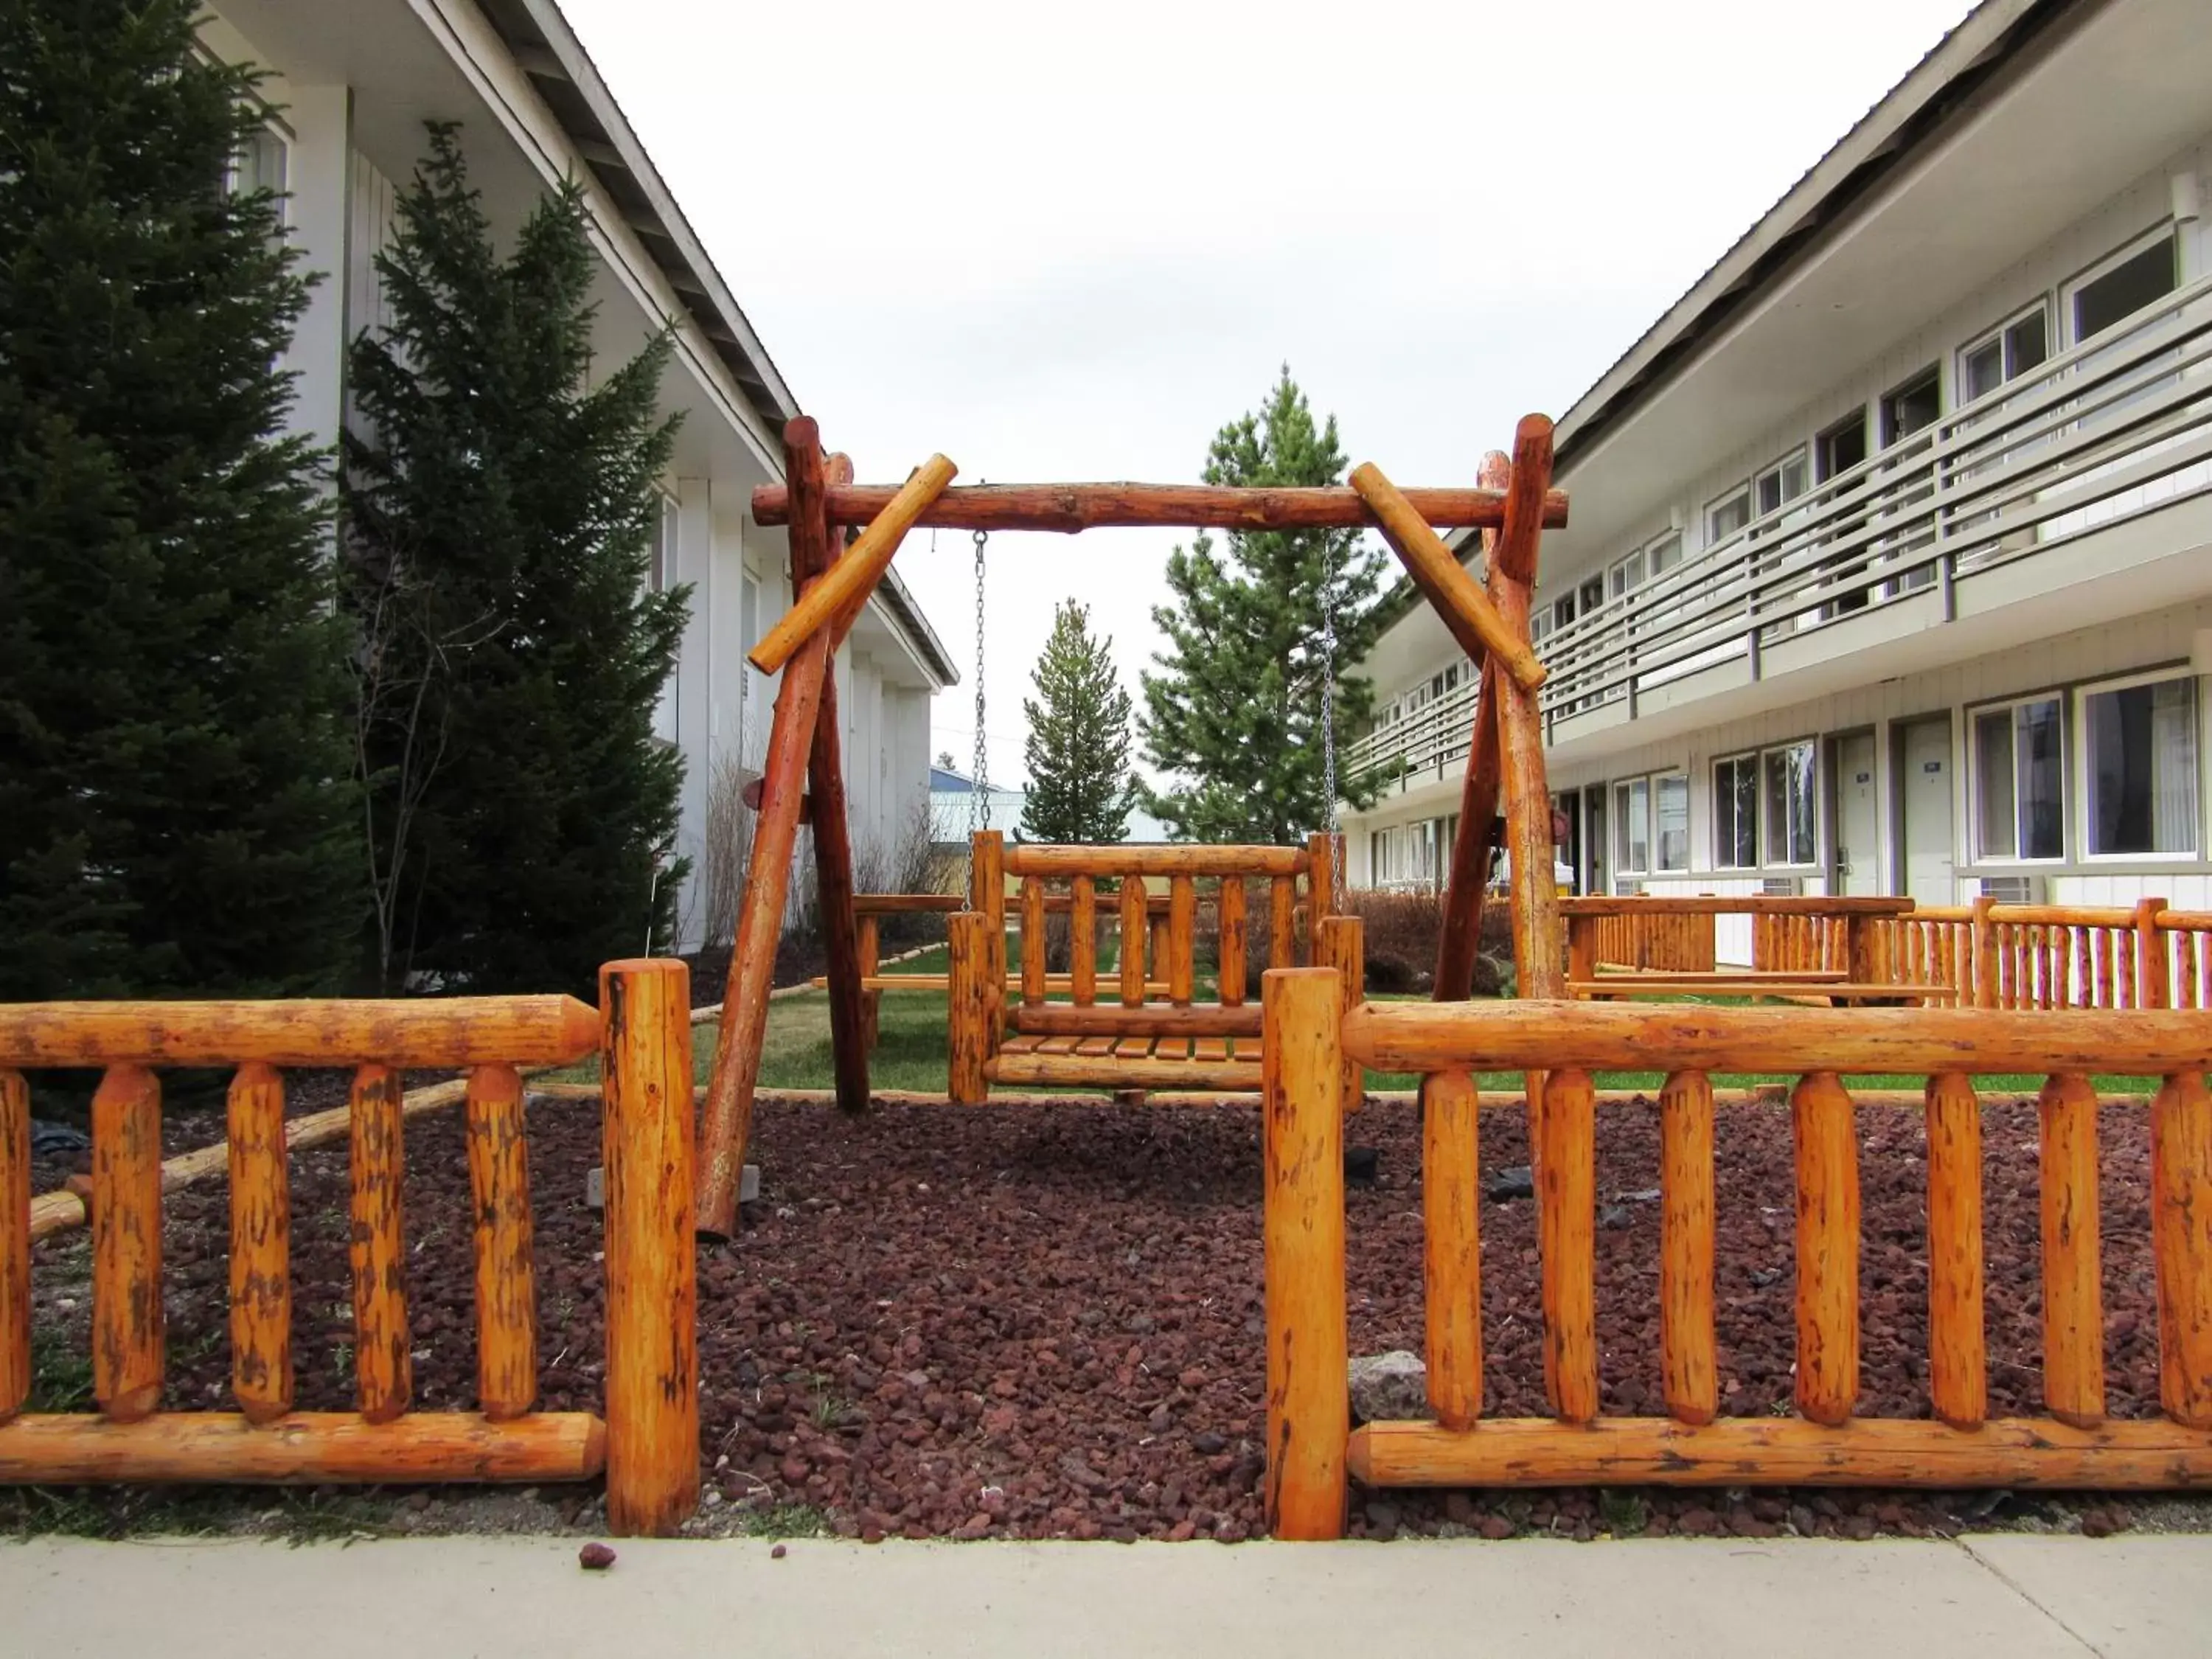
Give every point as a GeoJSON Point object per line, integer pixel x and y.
{"type": "Point", "coordinates": [1959, 1350]}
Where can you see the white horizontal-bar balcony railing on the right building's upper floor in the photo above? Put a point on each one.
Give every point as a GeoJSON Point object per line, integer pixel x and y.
{"type": "Point", "coordinates": [2105, 432]}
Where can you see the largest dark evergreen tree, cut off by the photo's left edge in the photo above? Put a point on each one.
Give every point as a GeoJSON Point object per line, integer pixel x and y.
{"type": "Point", "coordinates": [174, 771]}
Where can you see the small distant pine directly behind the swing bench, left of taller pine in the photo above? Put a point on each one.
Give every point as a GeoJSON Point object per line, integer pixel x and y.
{"type": "Point", "coordinates": [1081, 789]}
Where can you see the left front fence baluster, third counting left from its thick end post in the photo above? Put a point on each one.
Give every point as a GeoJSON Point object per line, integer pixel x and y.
{"type": "Point", "coordinates": [260, 1244]}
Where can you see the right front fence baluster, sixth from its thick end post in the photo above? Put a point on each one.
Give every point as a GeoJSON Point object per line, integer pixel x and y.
{"type": "Point", "coordinates": [2074, 1266]}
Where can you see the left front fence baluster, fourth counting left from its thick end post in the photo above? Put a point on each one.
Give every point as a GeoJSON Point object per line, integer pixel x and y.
{"type": "Point", "coordinates": [127, 1244]}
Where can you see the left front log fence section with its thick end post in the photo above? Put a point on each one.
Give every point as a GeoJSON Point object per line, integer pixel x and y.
{"type": "Point", "coordinates": [649, 1439]}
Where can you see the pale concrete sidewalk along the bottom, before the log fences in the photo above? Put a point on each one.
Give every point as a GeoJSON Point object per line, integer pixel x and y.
{"type": "Point", "coordinates": [2023, 1596]}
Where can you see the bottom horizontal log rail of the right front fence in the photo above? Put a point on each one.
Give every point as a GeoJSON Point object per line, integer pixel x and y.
{"type": "Point", "coordinates": [1782, 1452]}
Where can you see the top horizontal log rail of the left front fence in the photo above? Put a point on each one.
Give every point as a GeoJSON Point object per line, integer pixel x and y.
{"type": "Point", "coordinates": [337, 1032]}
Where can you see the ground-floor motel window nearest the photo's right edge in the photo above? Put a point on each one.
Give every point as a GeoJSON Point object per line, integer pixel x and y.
{"type": "Point", "coordinates": [2140, 766]}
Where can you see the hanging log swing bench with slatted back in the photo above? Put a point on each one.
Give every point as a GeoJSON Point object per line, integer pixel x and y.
{"type": "Point", "coordinates": [1145, 1030]}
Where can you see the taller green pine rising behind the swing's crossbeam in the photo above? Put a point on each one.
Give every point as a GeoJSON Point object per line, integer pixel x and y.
{"type": "Point", "coordinates": [1235, 711]}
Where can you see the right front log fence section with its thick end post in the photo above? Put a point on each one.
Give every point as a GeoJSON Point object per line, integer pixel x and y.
{"type": "Point", "coordinates": [1311, 1039]}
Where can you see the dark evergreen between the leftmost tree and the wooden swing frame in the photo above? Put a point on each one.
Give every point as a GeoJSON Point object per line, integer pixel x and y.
{"type": "Point", "coordinates": [501, 512]}
